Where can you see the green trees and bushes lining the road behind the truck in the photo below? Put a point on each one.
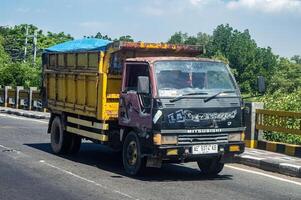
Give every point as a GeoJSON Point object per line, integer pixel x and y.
{"type": "Point", "coordinates": [237, 48]}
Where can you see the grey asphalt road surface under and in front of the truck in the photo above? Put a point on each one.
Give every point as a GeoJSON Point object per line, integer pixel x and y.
{"type": "Point", "coordinates": [28, 170]}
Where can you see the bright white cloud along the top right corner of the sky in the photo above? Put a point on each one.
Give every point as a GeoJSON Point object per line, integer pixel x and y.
{"type": "Point", "coordinates": [267, 6]}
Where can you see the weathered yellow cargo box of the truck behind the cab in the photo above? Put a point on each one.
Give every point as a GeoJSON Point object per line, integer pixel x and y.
{"type": "Point", "coordinates": [77, 83]}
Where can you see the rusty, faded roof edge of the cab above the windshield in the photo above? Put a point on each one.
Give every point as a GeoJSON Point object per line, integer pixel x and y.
{"type": "Point", "coordinates": [169, 58]}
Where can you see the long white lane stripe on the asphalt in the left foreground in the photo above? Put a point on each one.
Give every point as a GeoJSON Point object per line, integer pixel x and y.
{"type": "Point", "coordinates": [87, 180]}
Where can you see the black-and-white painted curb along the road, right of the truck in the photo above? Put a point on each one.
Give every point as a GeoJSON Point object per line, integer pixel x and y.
{"type": "Point", "coordinates": [272, 165]}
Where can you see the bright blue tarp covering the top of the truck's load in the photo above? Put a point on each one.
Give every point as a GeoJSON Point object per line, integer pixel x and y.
{"type": "Point", "coordinates": [86, 44]}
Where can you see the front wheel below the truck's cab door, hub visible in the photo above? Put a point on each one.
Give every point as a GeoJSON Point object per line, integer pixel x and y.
{"type": "Point", "coordinates": [131, 155]}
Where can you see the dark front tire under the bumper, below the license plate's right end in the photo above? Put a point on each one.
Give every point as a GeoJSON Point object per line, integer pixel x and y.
{"type": "Point", "coordinates": [210, 167]}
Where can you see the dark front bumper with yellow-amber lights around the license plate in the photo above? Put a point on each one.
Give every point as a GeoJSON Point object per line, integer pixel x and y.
{"type": "Point", "coordinates": [226, 152]}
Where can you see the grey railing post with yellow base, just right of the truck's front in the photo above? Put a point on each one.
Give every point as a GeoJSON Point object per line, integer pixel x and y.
{"type": "Point", "coordinates": [251, 134]}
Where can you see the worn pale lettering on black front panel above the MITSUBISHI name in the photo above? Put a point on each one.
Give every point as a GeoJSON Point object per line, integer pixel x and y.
{"type": "Point", "coordinates": [187, 115]}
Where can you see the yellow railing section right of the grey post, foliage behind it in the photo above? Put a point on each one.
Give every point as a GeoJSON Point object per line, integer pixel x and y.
{"type": "Point", "coordinates": [279, 121]}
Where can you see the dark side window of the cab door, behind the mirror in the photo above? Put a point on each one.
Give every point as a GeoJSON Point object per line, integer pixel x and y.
{"type": "Point", "coordinates": [132, 73]}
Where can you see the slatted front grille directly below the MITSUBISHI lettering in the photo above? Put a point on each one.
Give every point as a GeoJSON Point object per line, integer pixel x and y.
{"type": "Point", "coordinates": [188, 139]}
